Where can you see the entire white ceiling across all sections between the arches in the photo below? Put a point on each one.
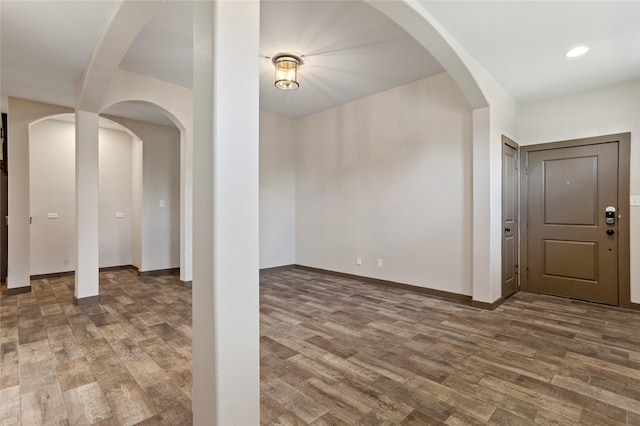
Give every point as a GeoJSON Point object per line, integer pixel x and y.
{"type": "Point", "coordinates": [351, 50]}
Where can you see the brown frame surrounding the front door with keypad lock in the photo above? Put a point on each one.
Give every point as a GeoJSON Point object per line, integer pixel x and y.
{"type": "Point", "coordinates": [624, 156]}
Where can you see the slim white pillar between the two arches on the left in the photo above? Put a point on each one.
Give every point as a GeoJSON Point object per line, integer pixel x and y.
{"type": "Point", "coordinates": [87, 224]}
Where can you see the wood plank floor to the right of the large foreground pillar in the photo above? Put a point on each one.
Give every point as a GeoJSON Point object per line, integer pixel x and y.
{"type": "Point", "coordinates": [337, 351]}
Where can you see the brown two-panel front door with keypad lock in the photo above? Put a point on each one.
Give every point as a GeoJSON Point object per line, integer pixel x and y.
{"type": "Point", "coordinates": [572, 250]}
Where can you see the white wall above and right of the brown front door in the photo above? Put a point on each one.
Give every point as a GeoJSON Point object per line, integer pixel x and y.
{"type": "Point", "coordinates": [610, 110]}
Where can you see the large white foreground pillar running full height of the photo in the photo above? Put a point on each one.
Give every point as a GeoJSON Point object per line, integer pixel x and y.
{"type": "Point", "coordinates": [226, 384]}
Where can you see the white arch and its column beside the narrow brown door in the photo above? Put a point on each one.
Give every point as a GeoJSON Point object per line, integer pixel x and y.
{"type": "Point", "coordinates": [494, 113]}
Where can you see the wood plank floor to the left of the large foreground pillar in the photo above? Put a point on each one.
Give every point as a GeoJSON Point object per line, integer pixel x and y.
{"type": "Point", "coordinates": [124, 361]}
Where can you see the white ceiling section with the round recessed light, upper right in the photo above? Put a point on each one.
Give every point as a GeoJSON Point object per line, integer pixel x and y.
{"type": "Point", "coordinates": [522, 43]}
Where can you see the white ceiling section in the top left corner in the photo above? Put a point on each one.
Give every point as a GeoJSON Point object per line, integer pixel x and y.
{"type": "Point", "coordinates": [44, 46]}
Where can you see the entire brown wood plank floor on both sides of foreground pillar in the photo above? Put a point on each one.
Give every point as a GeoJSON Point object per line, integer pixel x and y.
{"type": "Point", "coordinates": [333, 351]}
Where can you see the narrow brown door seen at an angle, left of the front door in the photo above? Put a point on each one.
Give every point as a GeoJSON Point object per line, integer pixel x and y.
{"type": "Point", "coordinates": [509, 217]}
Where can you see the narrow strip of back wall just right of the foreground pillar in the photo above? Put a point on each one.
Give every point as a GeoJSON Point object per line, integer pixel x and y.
{"type": "Point", "coordinates": [277, 190]}
